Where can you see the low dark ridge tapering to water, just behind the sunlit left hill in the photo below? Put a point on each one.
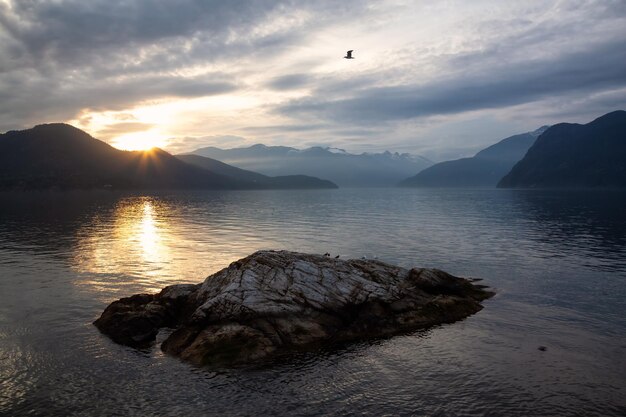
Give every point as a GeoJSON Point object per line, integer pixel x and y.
{"type": "Point", "coordinates": [281, 182]}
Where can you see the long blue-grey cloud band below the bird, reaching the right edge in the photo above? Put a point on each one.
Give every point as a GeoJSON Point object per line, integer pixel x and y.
{"type": "Point", "coordinates": [601, 68]}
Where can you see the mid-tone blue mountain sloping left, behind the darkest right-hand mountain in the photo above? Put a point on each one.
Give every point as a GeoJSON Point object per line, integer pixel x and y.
{"type": "Point", "coordinates": [482, 170]}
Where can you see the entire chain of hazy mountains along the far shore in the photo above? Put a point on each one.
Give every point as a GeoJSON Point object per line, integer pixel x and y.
{"type": "Point", "coordinates": [565, 155]}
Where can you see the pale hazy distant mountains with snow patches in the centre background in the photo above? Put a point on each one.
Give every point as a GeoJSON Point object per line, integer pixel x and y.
{"type": "Point", "coordinates": [337, 165]}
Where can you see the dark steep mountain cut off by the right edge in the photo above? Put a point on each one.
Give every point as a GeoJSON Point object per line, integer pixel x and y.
{"type": "Point", "coordinates": [574, 155]}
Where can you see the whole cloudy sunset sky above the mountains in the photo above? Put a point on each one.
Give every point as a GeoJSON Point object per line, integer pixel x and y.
{"type": "Point", "coordinates": [442, 79]}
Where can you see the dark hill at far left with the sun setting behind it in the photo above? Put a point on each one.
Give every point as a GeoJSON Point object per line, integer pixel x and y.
{"type": "Point", "coordinates": [61, 156]}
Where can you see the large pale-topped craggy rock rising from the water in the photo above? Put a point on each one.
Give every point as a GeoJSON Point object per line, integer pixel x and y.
{"type": "Point", "coordinates": [272, 301]}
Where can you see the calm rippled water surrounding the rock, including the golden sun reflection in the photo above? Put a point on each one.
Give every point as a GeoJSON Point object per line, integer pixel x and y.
{"type": "Point", "coordinates": [556, 259]}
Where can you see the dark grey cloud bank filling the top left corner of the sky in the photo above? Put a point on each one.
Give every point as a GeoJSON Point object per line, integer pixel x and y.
{"type": "Point", "coordinates": [75, 30]}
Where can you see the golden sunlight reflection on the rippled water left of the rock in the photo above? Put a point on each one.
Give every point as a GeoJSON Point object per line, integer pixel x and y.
{"type": "Point", "coordinates": [138, 244]}
